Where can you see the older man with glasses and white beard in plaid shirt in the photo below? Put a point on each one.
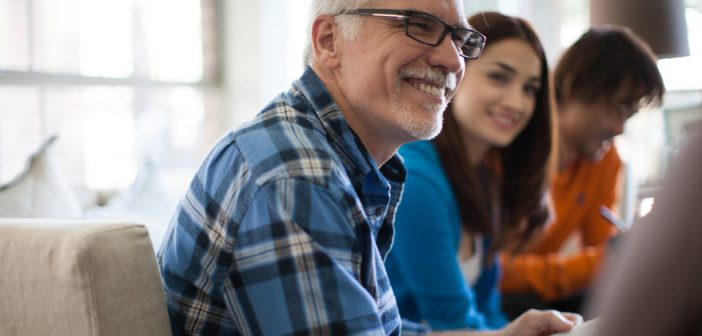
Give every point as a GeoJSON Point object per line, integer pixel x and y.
{"type": "Point", "coordinates": [286, 223]}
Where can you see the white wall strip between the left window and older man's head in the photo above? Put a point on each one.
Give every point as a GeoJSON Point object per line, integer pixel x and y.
{"type": "Point", "coordinates": [264, 42]}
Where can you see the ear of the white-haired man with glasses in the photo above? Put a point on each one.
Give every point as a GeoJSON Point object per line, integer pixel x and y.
{"type": "Point", "coordinates": [324, 41]}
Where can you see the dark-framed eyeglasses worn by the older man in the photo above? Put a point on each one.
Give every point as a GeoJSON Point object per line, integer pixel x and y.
{"type": "Point", "coordinates": [430, 30]}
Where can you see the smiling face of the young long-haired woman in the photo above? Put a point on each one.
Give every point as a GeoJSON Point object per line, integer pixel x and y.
{"type": "Point", "coordinates": [498, 94]}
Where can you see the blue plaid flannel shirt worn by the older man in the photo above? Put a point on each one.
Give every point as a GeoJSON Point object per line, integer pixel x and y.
{"type": "Point", "coordinates": [284, 229]}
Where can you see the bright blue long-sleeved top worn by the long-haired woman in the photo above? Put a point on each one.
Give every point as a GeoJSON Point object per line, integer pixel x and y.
{"type": "Point", "coordinates": [423, 266]}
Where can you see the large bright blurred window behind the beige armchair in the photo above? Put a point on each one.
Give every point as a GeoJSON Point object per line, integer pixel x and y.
{"type": "Point", "coordinates": [122, 82]}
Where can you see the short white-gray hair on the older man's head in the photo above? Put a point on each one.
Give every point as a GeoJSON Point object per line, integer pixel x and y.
{"type": "Point", "coordinates": [350, 24]}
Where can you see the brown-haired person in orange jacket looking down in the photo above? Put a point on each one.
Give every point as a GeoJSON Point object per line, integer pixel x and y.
{"type": "Point", "coordinates": [600, 81]}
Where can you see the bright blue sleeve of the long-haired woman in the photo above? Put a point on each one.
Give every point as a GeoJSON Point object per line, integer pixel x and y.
{"type": "Point", "coordinates": [424, 254]}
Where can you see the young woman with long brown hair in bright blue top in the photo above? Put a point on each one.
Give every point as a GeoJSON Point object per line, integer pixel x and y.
{"type": "Point", "coordinates": [478, 187]}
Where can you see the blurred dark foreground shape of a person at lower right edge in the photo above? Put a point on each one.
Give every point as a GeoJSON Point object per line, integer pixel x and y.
{"type": "Point", "coordinates": [655, 287]}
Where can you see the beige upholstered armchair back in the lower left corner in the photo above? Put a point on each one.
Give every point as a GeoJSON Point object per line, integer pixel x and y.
{"type": "Point", "coordinates": [78, 277]}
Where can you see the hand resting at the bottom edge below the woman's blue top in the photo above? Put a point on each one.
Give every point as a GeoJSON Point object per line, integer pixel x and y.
{"type": "Point", "coordinates": [542, 322]}
